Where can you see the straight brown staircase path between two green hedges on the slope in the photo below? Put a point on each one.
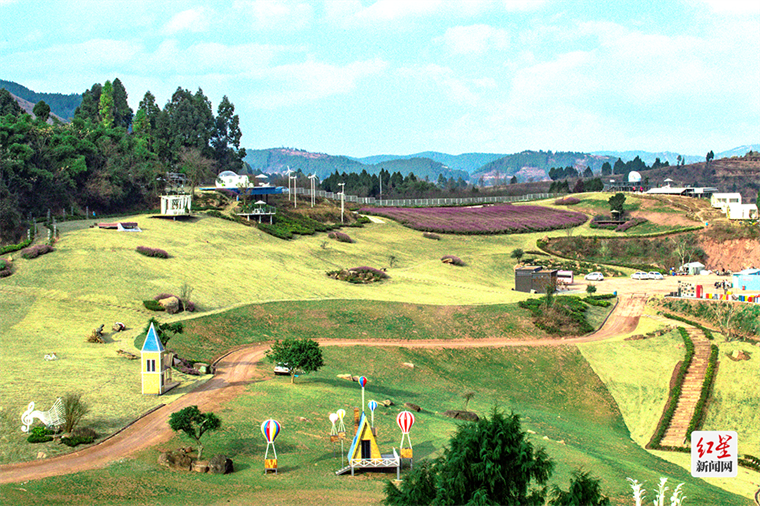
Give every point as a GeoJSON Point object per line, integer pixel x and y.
{"type": "Point", "coordinates": [690, 391]}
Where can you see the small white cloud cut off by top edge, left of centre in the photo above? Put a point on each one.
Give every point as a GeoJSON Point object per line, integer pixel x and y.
{"type": "Point", "coordinates": [283, 15]}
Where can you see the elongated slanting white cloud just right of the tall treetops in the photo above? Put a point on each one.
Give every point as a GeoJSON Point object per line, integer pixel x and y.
{"type": "Point", "coordinates": [298, 83]}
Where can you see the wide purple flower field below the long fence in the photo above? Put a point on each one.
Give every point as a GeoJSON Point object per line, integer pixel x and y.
{"type": "Point", "coordinates": [497, 219]}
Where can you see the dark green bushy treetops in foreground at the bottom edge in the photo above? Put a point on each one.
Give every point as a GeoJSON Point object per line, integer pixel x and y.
{"type": "Point", "coordinates": [491, 462]}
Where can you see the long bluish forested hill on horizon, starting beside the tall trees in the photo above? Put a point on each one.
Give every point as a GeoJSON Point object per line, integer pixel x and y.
{"type": "Point", "coordinates": [321, 164]}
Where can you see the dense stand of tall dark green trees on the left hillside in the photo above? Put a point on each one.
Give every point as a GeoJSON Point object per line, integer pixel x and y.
{"type": "Point", "coordinates": [108, 159]}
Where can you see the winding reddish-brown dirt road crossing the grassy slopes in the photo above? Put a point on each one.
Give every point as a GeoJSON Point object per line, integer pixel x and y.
{"type": "Point", "coordinates": [243, 366]}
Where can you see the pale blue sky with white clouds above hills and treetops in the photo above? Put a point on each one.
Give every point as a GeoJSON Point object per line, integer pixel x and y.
{"type": "Point", "coordinates": [402, 76]}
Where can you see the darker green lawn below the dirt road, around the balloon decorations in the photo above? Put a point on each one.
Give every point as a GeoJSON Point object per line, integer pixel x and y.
{"type": "Point", "coordinates": [563, 404]}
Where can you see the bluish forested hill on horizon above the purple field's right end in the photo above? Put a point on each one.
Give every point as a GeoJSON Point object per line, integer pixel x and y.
{"type": "Point", "coordinates": [542, 161]}
